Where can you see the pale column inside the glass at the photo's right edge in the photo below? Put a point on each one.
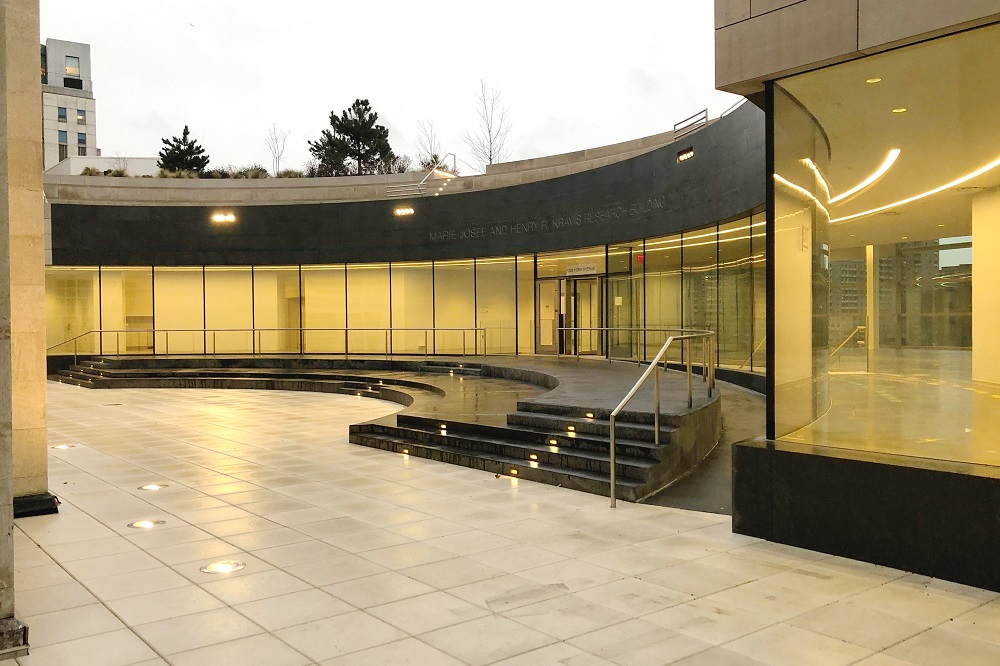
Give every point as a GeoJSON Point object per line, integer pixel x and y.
{"type": "Point", "coordinates": [985, 278]}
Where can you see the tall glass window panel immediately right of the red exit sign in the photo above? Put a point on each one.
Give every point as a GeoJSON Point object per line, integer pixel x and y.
{"type": "Point", "coordinates": [662, 260]}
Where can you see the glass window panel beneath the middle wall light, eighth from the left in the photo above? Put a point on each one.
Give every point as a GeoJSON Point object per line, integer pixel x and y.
{"type": "Point", "coordinates": [412, 307]}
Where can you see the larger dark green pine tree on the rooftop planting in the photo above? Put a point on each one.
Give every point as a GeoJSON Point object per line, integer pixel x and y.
{"type": "Point", "coordinates": [355, 146]}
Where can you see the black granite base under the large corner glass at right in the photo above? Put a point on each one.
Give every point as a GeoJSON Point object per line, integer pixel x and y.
{"type": "Point", "coordinates": [927, 517]}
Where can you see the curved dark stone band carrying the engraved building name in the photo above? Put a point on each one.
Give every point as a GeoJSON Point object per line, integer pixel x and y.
{"type": "Point", "coordinates": [644, 196]}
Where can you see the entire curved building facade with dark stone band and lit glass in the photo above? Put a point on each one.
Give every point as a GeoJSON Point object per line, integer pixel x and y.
{"type": "Point", "coordinates": [536, 257]}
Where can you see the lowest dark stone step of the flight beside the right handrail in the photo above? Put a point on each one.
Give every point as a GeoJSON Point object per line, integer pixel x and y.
{"type": "Point", "coordinates": [586, 481]}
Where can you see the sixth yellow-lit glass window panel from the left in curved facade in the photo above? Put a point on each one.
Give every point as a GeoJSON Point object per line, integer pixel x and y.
{"type": "Point", "coordinates": [324, 309]}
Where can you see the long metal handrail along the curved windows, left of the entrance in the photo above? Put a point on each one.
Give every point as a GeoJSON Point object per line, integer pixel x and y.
{"type": "Point", "coordinates": [256, 338]}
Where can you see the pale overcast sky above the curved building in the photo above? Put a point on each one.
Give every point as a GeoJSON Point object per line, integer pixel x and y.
{"type": "Point", "coordinates": [573, 75]}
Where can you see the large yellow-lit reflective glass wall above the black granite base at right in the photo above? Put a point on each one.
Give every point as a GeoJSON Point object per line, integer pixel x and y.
{"type": "Point", "coordinates": [887, 233]}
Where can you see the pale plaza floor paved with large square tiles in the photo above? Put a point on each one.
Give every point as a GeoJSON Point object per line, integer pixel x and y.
{"type": "Point", "coordinates": [358, 556]}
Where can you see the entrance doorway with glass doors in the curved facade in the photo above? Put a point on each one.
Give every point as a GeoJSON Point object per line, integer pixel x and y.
{"type": "Point", "coordinates": [569, 303]}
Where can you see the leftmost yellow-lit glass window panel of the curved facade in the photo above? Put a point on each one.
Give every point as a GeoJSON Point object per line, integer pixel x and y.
{"type": "Point", "coordinates": [71, 306]}
